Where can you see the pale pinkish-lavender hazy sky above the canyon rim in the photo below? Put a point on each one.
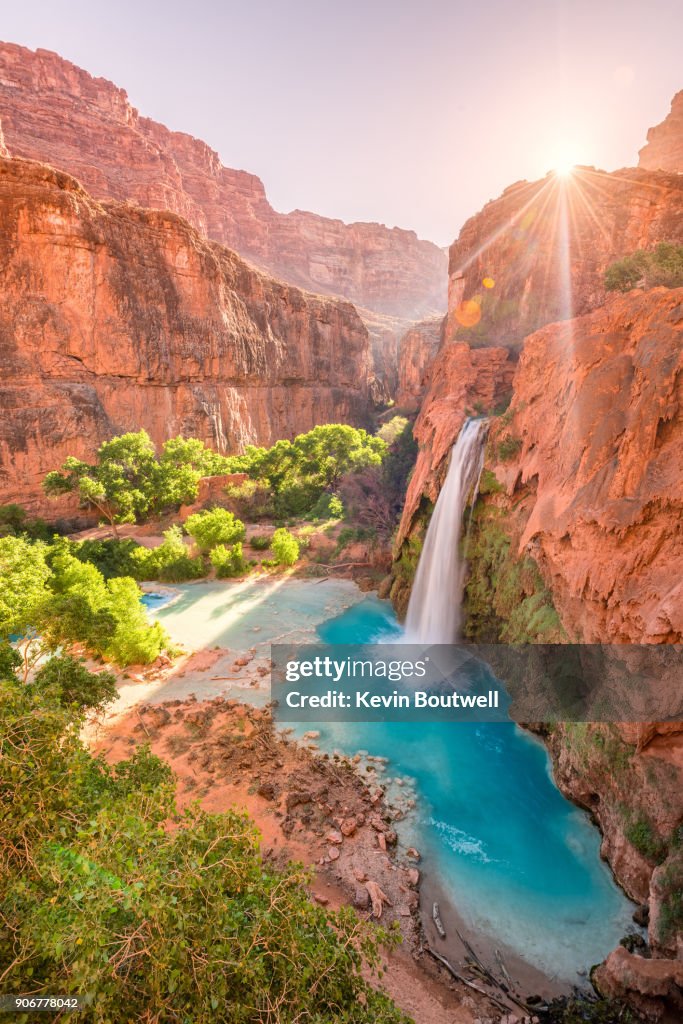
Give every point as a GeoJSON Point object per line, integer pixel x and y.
{"type": "Point", "coordinates": [408, 112]}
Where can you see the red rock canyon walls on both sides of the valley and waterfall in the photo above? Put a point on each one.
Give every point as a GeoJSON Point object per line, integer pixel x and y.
{"type": "Point", "coordinates": [146, 285]}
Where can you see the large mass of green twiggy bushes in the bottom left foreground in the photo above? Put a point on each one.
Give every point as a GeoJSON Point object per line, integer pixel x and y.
{"type": "Point", "coordinates": [185, 924]}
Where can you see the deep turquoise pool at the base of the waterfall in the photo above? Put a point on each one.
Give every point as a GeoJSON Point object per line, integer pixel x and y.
{"type": "Point", "coordinates": [520, 862]}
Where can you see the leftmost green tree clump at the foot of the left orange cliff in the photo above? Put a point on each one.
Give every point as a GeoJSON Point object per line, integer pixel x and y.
{"type": "Point", "coordinates": [129, 482]}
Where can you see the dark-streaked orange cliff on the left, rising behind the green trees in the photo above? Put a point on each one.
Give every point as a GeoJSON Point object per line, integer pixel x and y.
{"type": "Point", "coordinates": [114, 318]}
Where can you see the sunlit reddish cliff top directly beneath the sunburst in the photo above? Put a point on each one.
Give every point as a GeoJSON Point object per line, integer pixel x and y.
{"type": "Point", "coordinates": [539, 253]}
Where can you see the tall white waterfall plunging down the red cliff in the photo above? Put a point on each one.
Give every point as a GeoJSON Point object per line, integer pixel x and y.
{"type": "Point", "coordinates": [435, 612]}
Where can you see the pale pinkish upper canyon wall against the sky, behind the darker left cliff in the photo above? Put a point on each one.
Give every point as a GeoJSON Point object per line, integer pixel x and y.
{"type": "Point", "coordinates": [54, 112]}
